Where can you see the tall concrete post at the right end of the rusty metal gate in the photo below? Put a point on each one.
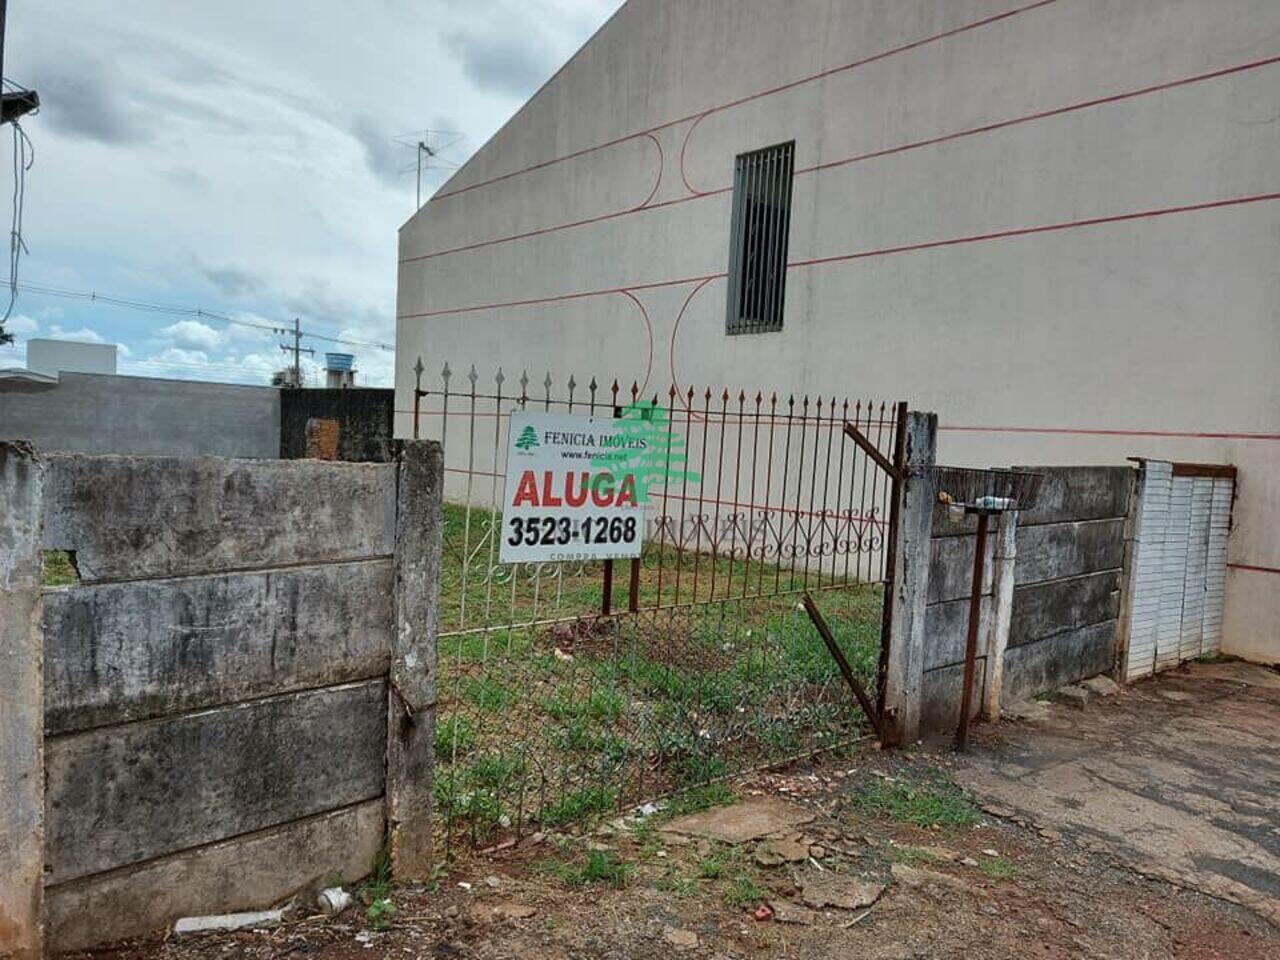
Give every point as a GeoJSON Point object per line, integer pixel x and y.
{"type": "Point", "coordinates": [904, 678]}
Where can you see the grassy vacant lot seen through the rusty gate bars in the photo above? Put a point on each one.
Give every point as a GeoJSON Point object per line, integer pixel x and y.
{"type": "Point", "coordinates": [551, 714]}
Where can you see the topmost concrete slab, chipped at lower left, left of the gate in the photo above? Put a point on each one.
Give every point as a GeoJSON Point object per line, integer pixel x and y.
{"type": "Point", "coordinates": [166, 516]}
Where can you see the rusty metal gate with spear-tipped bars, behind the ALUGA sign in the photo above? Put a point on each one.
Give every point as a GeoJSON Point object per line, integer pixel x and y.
{"type": "Point", "coordinates": [577, 689]}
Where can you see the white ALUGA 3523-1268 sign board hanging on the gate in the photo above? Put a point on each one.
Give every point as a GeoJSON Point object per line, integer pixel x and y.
{"type": "Point", "coordinates": [572, 493]}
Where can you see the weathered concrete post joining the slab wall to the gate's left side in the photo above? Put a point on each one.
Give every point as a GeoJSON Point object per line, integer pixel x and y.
{"type": "Point", "coordinates": [412, 694]}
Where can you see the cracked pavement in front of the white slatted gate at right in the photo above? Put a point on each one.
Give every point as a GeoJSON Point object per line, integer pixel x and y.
{"type": "Point", "coordinates": [1178, 778]}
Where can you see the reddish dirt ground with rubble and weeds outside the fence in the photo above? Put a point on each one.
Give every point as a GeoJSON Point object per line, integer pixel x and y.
{"type": "Point", "coordinates": [866, 856]}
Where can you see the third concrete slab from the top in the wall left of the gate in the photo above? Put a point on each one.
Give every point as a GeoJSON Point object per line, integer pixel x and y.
{"type": "Point", "coordinates": [121, 796]}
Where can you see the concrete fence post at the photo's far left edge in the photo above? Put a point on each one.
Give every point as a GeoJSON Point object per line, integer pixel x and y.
{"type": "Point", "coordinates": [22, 706]}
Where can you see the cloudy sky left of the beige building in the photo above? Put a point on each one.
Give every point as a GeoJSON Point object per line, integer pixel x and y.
{"type": "Point", "coordinates": [243, 158]}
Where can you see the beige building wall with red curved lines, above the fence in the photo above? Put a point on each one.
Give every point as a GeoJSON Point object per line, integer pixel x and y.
{"type": "Point", "coordinates": [1055, 223]}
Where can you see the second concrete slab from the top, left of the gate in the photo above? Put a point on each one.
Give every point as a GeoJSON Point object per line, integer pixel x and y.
{"type": "Point", "coordinates": [126, 652]}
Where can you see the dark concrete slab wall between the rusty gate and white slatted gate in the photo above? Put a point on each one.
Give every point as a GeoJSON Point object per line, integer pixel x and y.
{"type": "Point", "coordinates": [1066, 598]}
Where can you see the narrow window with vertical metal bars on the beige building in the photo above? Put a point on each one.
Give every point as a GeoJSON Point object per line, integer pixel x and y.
{"type": "Point", "coordinates": [758, 240]}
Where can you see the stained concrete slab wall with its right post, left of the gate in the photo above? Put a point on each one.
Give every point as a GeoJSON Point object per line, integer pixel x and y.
{"type": "Point", "coordinates": [216, 687]}
